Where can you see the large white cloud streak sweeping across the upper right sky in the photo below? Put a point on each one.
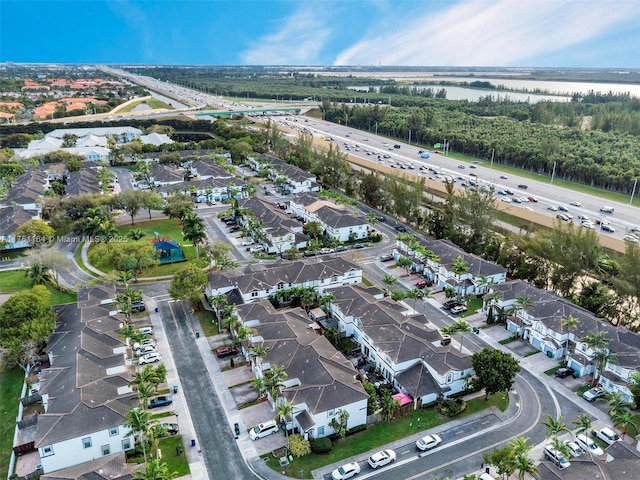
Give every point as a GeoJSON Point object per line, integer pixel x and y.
{"type": "Point", "coordinates": [481, 32]}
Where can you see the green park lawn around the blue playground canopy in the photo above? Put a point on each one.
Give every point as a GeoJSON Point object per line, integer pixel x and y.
{"type": "Point", "coordinates": [167, 228]}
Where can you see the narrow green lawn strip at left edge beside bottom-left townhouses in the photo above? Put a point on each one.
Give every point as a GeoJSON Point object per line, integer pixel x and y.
{"type": "Point", "coordinates": [11, 380]}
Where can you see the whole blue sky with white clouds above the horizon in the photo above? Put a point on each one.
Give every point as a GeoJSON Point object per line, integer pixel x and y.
{"type": "Point", "coordinates": [572, 33]}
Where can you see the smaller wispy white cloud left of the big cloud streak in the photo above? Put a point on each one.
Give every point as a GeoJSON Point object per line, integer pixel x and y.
{"type": "Point", "coordinates": [298, 41]}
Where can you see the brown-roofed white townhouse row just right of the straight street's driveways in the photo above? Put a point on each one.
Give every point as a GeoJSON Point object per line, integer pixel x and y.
{"type": "Point", "coordinates": [319, 394]}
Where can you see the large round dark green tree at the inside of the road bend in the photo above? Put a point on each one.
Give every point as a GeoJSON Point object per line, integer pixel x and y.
{"type": "Point", "coordinates": [495, 371]}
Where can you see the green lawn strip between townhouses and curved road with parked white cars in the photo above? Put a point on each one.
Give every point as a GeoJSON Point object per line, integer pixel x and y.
{"type": "Point", "coordinates": [381, 434]}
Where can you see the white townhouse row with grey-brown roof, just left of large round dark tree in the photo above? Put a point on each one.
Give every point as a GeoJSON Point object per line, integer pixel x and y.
{"type": "Point", "coordinates": [405, 349]}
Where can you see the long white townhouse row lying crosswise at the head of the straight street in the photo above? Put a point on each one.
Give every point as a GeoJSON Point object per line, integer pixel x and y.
{"type": "Point", "coordinates": [259, 281]}
